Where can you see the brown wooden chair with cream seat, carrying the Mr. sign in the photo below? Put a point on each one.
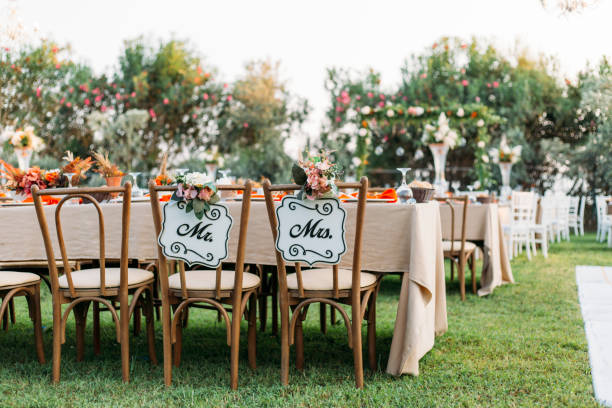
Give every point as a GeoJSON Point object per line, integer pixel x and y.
{"type": "Point", "coordinates": [184, 289]}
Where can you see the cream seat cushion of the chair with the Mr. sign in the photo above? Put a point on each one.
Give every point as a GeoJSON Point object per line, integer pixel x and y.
{"type": "Point", "coordinates": [206, 280]}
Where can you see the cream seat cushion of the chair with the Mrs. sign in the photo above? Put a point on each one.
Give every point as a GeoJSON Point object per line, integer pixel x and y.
{"type": "Point", "coordinates": [323, 279]}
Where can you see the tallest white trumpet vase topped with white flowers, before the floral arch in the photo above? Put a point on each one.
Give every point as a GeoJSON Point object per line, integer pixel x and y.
{"type": "Point", "coordinates": [439, 137]}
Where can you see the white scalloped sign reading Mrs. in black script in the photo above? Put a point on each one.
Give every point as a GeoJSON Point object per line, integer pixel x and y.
{"type": "Point", "coordinates": [311, 231]}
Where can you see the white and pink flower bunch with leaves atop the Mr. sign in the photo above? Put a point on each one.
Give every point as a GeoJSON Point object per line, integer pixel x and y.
{"type": "Point", "coordinates": [197, 190]}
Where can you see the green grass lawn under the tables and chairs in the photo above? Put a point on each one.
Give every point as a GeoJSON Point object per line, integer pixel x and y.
{"type": "Point", "coordinates": [522, 346]}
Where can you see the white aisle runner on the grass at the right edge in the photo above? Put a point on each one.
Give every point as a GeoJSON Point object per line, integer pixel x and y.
{"type": "Point", "coordinates": [595, 295]}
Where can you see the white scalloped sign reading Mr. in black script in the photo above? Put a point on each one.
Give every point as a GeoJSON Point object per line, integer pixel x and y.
{"type": "Point", "coordinates": [186, 238]}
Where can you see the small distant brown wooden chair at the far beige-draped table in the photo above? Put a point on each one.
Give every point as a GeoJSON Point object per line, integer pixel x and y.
{"type": "Point", "coordinates": [459, 252]}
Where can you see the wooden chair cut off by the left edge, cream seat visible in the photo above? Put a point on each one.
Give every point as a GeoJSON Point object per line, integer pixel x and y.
{"type": "Point", "coordinates": [13, 284]}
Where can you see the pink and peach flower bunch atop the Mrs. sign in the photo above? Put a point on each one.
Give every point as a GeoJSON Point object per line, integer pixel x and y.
{"type": "Point", "coordinates": [316, 175]}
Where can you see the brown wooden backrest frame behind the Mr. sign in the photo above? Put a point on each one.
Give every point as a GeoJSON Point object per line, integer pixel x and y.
{"type": "Point", "coordinates": [246, 190]}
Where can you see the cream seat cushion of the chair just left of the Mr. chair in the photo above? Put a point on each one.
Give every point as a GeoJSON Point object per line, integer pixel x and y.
{"type": "Point", "coordinates": [90, 278]}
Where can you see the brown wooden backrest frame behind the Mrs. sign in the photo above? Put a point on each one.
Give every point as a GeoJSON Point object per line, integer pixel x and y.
{"type": "Point", "coordinates": [362, 186]}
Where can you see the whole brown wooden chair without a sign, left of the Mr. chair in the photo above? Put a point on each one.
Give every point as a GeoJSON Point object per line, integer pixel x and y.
{"type": "Point", "coordinates": [78, 289]}
